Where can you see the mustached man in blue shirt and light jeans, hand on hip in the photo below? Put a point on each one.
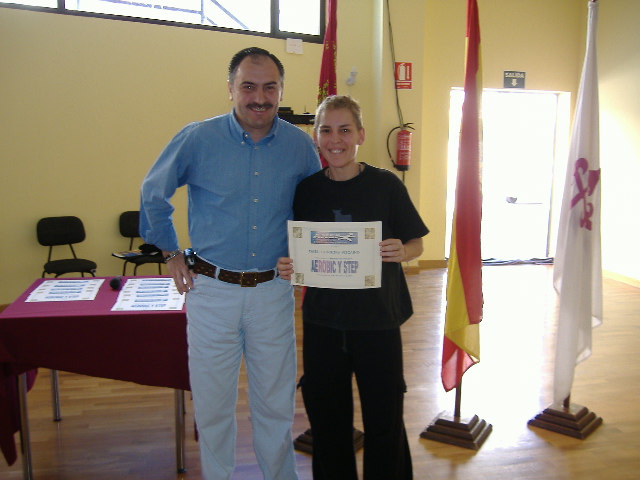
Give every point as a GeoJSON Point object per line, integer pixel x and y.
{"type": "Point", "coordinates": [241, 170]}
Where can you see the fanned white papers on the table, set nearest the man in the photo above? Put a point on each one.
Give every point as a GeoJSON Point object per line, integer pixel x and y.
{"type": "Point", "coordinates": [148, 294]}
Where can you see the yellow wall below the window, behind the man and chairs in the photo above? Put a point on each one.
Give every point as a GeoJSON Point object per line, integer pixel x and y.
{"type": "Point", "coordinates": [87, 105]}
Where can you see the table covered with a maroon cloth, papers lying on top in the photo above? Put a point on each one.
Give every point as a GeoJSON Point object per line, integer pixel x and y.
{"type": "Point", "coordinates": [86, 337]}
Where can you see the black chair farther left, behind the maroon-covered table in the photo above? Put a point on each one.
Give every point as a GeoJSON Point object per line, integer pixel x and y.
{"type": "Point", "coordinates": [57, 231]}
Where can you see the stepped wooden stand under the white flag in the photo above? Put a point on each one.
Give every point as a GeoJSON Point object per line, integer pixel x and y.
{"type": "Point", "coordinates": [568, 419]}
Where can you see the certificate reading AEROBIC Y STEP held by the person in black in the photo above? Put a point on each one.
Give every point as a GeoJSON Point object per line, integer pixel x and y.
{"type": "Point", "coordinates": [336, 254]}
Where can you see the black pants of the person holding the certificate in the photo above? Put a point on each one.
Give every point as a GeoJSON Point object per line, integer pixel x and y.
{"type": "Point", "coordinates": [331, 358]}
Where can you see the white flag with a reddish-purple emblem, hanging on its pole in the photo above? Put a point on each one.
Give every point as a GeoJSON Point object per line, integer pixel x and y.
{"type": "Point", "coordinates": [577, 273]}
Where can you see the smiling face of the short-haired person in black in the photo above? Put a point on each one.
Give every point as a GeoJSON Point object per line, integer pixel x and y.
{"type": "Point", "coordinates": [338, 137]}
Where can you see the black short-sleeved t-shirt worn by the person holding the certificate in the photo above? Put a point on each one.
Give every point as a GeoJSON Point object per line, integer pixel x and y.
{"type": "Point", "coordinates": [375, 194]}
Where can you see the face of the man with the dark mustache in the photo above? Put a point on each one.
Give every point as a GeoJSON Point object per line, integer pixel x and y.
{"type": "Point", "coordinates": [256, 92]}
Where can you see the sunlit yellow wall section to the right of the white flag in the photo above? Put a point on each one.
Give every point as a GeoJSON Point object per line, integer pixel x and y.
{"type": "Point", "coordinates": [619, 71]}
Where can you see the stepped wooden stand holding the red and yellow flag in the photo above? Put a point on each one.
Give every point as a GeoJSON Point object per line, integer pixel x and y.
{"type": "Point", "coordinates": [453, 429]}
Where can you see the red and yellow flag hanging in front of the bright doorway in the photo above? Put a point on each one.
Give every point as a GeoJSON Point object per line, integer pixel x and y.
{"type": "Point", "coordinates": [461, 347]}
